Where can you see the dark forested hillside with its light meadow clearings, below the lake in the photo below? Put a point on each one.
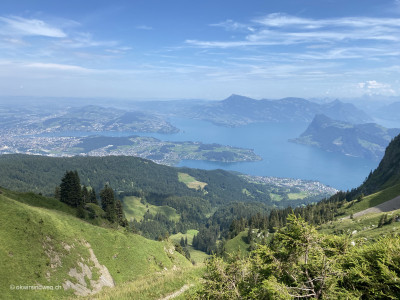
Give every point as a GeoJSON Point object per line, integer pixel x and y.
{"type": "Point", "coordinates": [187, 197]}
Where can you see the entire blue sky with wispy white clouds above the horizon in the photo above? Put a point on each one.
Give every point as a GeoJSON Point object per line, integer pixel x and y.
{"type": "Point", "coordinates": [209, 49]}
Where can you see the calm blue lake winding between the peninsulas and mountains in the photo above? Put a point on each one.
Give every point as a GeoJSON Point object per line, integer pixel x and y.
{"type": "Point", "coordinates": [281, 158]}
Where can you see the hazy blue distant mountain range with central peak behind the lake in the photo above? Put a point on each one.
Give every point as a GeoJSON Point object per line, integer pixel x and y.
{"type": "Point", "coordinates": [238, 110]}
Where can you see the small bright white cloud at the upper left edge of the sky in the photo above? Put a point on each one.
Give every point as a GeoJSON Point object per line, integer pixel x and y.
{"type": "Point", "coordinates": [29, 27]}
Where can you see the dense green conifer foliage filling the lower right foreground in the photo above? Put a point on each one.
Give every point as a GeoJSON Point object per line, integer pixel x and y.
{"type": "Point", "coordinates": [301, 263]}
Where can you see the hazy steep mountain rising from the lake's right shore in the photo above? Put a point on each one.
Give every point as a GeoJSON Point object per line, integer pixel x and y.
{"type": "Point", "coordinates": [362, 140]}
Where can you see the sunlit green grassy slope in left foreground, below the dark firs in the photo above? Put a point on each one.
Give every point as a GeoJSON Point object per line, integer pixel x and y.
{"type": "Point", "coordinates": [27, 232]}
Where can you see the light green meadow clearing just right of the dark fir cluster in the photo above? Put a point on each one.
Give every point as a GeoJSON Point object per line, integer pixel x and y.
{"type": "Point", "coordinates": [134, 209]}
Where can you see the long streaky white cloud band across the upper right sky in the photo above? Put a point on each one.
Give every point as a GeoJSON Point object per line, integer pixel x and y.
{"type": "Point", "coordinates": [282, 29]}
